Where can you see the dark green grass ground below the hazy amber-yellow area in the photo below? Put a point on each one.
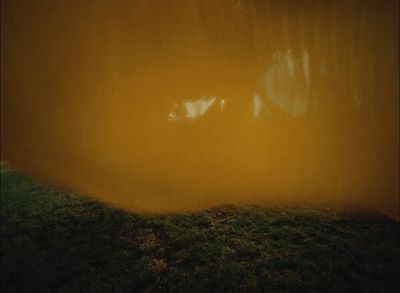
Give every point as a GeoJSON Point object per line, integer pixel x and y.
{"type": "Point", "coordinates": [55, 241]}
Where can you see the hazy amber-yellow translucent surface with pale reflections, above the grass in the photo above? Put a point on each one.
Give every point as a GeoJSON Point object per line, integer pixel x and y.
{"type": "Point", "coordinates": [179, 105]}
